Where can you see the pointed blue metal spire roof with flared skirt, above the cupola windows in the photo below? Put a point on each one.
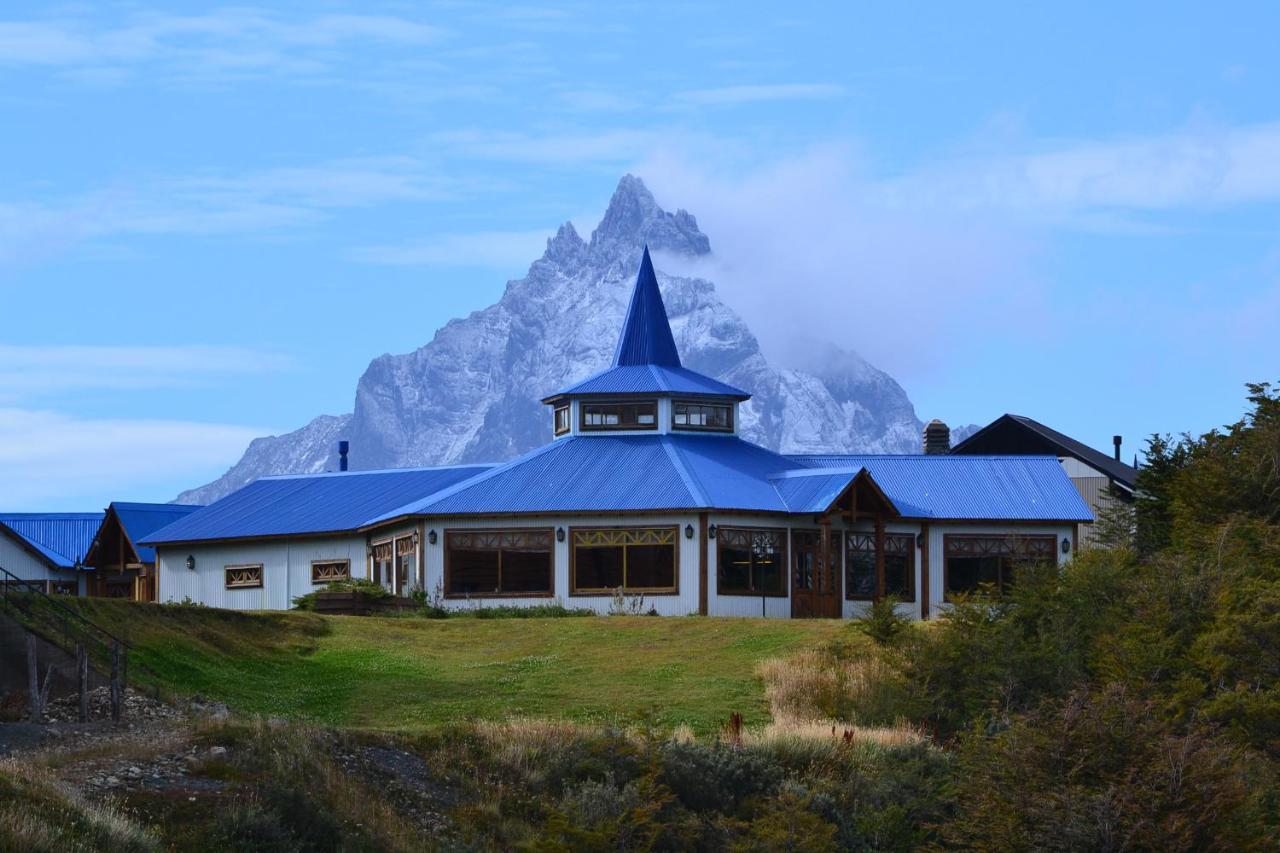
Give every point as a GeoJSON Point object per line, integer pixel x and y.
{"type": "Point", "coordinates": [646, 359]}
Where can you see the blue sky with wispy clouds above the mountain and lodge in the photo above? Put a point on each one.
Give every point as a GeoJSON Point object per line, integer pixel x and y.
{"type": "Point", "coordinates": [213, 218]}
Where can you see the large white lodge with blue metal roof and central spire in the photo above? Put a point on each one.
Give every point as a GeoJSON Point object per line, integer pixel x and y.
{"type": "Point", "coordinates": [644, 490]}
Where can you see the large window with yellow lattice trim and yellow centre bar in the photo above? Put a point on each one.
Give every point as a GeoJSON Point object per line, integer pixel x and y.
{"type": "Point", "coordinates": [632, 559]}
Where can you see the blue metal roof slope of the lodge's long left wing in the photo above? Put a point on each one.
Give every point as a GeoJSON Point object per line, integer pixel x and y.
{"type": "Point", "coordinates": [309, 504]}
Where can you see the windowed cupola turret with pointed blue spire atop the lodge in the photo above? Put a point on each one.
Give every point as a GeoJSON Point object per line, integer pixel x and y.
{"type": "Point", "coordinates": [647, 389]}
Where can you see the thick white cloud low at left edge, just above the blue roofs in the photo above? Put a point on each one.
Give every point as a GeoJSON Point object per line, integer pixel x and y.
{"type": "Point", "coordinates": [49, 457]}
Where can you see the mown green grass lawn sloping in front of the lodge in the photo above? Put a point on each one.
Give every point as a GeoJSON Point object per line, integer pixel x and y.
{"type": "Point", "coordinates": [414, 674]}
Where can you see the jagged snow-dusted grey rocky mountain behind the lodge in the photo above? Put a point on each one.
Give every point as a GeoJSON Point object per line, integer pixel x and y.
{"type": "Point", "coordinates": [473, 394]}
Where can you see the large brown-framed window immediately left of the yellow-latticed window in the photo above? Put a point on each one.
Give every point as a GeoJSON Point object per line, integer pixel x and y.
{"type": "Point", "coordinates": [499, 563]}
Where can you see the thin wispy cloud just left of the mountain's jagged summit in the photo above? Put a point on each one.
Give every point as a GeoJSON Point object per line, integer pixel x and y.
{"type": "Point", "coordinates": [492, 249]}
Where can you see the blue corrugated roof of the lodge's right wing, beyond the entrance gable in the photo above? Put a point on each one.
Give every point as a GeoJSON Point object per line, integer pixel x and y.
{"type": "Point", "coordinates": [1028, 489]}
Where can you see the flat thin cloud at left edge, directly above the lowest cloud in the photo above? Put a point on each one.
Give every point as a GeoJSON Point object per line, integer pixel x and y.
{"type": "Point", "coordinates": [42, 371]}
